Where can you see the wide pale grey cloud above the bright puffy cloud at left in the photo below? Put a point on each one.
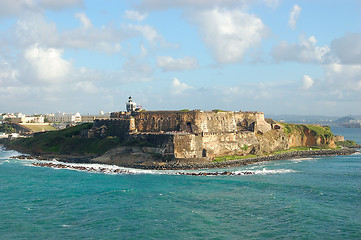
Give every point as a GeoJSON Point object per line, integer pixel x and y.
{"type": "Point", "coordinates": [35, 29]}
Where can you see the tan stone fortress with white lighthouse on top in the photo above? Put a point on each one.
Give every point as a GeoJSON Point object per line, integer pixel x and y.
{"type": "Point", "coordinates": [186, 134]}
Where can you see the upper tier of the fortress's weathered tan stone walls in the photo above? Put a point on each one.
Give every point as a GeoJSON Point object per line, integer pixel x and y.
{"type": "Point", "coordinates": [194, 122]}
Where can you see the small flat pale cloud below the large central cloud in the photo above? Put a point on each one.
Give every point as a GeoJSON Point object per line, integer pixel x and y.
{"type": "Point", "coordinates": [169, 64]}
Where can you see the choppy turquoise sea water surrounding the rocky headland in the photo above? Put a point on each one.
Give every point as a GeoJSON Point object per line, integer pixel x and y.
{"type": "Point", "coordinates": [311, 198]}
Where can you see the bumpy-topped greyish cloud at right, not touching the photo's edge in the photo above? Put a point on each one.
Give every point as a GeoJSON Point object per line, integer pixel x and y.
{"type": "Point", "coordinates": [306, 51]}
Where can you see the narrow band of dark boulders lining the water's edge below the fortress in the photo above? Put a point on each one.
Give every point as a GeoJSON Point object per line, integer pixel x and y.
{"type": "Point", "coordinates": [179, 165]}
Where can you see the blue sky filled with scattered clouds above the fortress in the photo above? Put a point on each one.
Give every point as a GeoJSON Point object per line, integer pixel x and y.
{"type": "Point", "coordinates": [273, 56]}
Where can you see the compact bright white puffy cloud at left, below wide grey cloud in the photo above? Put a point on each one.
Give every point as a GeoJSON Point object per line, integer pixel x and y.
{"type": "Point", "coordinates": [47, 64]}
